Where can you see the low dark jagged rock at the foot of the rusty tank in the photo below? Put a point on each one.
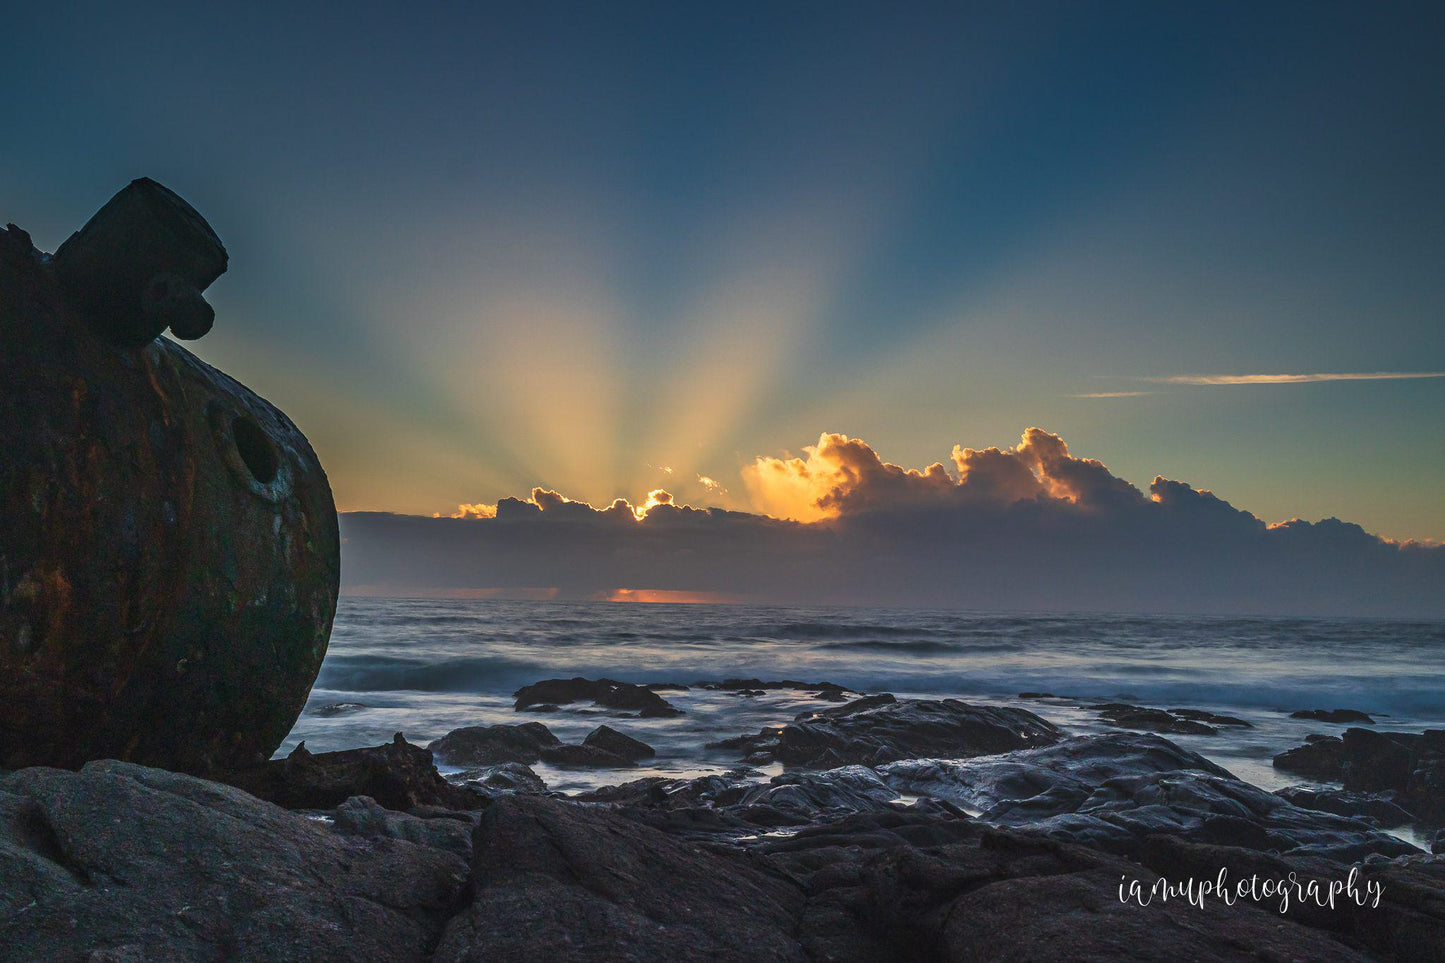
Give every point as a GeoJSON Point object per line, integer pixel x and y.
{"type": "Point", "coordinates": [398, 776]}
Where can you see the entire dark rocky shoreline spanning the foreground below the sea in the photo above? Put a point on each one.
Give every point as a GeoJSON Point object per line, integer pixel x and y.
{"type": "Point", "coordinates": [897, 831]}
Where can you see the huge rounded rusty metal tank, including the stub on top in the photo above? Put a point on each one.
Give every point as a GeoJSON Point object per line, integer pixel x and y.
{"type": "Point", "coordinates": [168, 540]}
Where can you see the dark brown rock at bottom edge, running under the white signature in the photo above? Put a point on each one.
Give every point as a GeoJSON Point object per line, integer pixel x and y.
{"type": "Point", "coordinates": [907, 887]}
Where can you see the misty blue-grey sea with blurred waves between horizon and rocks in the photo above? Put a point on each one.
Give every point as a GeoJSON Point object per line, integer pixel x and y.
{"type": "Point", "coordinates": [424, 667]}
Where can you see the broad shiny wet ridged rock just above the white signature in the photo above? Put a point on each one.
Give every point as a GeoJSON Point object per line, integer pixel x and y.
{"type": "Point", "coordinates": [1112, 793]}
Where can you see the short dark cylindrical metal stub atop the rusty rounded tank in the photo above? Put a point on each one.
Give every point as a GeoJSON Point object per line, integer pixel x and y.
{"type": "Point", "coordinates": [139, 267]}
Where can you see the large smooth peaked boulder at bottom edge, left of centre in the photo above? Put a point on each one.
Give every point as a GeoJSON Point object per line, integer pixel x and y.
{"type": "Point", "coordinates": [570, 883]}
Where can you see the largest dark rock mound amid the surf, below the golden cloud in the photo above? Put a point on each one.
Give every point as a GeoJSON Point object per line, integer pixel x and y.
{"type": "Point", "coordinates": [892, 731]}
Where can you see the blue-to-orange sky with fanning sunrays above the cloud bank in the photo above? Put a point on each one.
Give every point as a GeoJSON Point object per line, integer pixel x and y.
{"type": "Point", "coordinates": [605, 249]}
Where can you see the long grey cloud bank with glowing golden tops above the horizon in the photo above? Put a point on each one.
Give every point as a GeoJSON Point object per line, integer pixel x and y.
{"type": "Point", "coordinates": [1032, 527]}
